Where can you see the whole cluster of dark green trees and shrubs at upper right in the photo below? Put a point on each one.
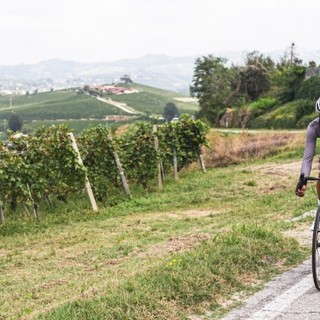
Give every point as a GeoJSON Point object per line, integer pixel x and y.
{"type": "Point", "coordinates": [220, 86]}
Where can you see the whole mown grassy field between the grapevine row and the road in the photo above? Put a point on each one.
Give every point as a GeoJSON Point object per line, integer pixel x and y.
{"type": "Point", "coordinates": [162, 255]}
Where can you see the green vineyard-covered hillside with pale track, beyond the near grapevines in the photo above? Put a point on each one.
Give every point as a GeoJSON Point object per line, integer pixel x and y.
{"type": "Point", "coordinates": [80, 110]}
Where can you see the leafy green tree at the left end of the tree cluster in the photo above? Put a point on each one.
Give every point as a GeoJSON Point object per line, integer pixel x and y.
{"type": "Point", "coordinates": [214, 85]}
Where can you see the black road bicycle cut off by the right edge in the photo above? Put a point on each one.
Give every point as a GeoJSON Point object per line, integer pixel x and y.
{"type": "Point", "coordinates": [315, 257]}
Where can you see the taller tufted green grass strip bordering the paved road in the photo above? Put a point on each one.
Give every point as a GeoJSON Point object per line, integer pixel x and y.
{"type": "Point", "coordinates": [196, 281]}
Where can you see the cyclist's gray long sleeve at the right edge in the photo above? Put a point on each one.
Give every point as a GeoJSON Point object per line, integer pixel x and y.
{"type": "Point", "coordinates": [313, 132]}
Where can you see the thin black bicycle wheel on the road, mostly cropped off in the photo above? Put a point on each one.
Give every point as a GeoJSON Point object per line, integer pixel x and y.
{"type": "Point", "coordinates": [316, 250]}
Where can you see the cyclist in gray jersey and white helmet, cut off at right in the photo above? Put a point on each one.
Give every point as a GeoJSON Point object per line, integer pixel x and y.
{"type": "Point", "coordinates": [313, 132]}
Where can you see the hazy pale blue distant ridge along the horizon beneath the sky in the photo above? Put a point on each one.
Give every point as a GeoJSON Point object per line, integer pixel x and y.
{"type": "Point", "coordinates": [161, 71]}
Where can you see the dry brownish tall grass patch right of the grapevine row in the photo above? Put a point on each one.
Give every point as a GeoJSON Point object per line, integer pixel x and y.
{"type": "Point", "coordinates": [236, 148]}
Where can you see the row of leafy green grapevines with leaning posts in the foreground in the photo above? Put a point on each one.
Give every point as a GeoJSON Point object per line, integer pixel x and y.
{"type": "Point", "coordinates": [51, 163]}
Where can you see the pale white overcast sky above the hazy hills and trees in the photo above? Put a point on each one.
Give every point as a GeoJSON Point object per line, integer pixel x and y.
{"type": "Point", "coordinates": [105, 30]}
